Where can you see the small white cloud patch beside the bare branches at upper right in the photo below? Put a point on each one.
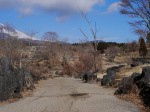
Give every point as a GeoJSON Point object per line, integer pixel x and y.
{"type": "Point", "coordinates": [113, 7]}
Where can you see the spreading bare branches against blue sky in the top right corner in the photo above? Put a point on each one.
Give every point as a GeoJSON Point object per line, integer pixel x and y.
{"type": "Point", "coordinates": [140, 10]}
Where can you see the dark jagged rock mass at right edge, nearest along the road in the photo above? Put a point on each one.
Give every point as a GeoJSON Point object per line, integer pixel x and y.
{"type": "Point", "coordinates": [137, 81]}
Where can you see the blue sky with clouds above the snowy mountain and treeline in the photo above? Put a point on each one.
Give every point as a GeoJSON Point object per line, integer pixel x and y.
{"type": "Point", "coordinates": [64, 17]}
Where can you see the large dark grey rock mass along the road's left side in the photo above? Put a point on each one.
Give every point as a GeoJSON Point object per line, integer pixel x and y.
{"type": "Point", "coordinates": [13, 81]}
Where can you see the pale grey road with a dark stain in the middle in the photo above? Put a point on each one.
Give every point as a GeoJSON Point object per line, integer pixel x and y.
{"type": "Point", "coordinates": [70, 95]}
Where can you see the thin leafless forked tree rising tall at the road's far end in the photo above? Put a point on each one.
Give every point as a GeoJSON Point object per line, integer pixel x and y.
{"type": "Point", "coordinates": [93, 30]}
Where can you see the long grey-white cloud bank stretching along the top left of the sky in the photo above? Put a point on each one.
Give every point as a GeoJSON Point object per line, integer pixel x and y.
{"type": "Point", "coordinates": [59, 7]}
